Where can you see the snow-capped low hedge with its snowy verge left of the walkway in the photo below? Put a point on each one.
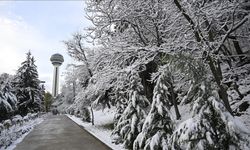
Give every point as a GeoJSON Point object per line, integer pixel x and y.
{"type": "Point", "coordinates": [13, 131]}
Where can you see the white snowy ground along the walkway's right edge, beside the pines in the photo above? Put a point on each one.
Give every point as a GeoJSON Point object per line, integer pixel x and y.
{"type": "Point", "coordinates": [102, 128]}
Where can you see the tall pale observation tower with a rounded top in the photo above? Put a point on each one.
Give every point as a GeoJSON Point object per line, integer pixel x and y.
{"type": "Point", "coordinates": [56, 60]}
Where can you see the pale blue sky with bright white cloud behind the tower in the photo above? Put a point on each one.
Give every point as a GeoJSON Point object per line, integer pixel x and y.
{"type": "Point", "coordinates": [38, 26]}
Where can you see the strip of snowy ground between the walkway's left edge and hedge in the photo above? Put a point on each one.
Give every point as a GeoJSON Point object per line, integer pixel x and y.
{"type": "Point", "coordinates": [16, 133]}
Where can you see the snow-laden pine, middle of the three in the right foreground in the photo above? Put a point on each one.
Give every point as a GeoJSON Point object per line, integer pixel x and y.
{"type": "Point", "coordinates": [158, 125]}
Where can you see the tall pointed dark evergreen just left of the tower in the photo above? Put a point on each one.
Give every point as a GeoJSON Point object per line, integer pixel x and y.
{"type": "Point", "coordinates": [27, 86]}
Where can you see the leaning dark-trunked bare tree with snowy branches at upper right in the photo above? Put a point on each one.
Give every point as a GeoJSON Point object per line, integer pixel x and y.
{"type": "Point", "coordinates": [211, 24]}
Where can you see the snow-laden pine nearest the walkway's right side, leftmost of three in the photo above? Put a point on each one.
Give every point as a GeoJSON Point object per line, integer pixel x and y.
{"type": "Point", "coordinates": [130, 123]}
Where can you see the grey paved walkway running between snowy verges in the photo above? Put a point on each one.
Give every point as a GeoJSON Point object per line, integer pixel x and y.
{"type": "Point", "coordinates": [60, 133]}
